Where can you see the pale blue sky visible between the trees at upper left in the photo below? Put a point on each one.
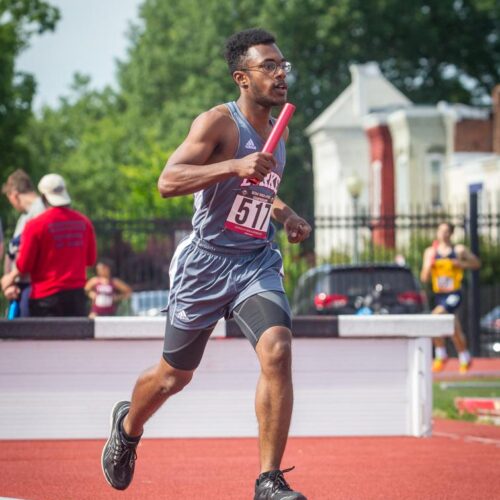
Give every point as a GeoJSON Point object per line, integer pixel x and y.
{"type": "Point", "coordinates": [89, 38]}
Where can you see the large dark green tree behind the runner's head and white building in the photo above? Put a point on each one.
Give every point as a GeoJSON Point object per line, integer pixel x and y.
{"type": "Point", "coordinates": [431, 50]}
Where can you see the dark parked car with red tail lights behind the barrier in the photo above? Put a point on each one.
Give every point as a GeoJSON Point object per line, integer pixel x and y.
{"type": "Point", "coordinates": [359, 289]}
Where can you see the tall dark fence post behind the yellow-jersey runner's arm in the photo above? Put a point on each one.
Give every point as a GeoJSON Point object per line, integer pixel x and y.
{"type": "Point", "coordinates": [474, 295]}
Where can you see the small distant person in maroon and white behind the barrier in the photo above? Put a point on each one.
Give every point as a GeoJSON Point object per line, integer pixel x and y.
{"type": "Point", "coordinates": [104, 291]}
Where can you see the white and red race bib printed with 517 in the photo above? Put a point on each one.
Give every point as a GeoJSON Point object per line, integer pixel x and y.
{"type": "Point", "coordinates": [250, 213]}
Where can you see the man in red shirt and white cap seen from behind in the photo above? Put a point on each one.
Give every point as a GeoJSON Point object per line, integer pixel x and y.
{"type": "Point", "coordinates": [56, 247]}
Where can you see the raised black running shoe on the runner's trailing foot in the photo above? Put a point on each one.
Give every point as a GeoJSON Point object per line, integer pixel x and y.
{"type": "Point", "coordinates": [119, 455]}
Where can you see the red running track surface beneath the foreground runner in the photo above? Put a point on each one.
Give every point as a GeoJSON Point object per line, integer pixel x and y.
{"type": "Point", "coordinates": [461, 461]}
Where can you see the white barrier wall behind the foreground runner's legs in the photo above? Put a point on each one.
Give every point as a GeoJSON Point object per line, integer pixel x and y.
{"type": "Point", "coordinates": [378, 385]}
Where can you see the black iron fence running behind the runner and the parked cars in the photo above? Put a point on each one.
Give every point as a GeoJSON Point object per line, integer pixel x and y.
{"type": "Point", "coordinates": [142, 249]}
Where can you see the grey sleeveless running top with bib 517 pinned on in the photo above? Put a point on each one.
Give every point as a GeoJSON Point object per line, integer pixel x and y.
{"type": "Point", "coordinates": [235, 213]}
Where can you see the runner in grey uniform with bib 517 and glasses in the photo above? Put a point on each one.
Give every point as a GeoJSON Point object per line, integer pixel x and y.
{"type": "Point", "coordinates": [229, 265]}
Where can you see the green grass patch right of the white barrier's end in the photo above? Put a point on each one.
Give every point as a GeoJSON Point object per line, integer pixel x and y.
{"type": "Point", "coordinates": [443, 397]}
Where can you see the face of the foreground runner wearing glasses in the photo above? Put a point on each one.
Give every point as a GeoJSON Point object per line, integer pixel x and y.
{"type": "Point", "coordinates": [268, 88]}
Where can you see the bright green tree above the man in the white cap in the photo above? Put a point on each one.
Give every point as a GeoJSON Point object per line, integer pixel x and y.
{"type": "Point", "coordinates": [111, 162]}
